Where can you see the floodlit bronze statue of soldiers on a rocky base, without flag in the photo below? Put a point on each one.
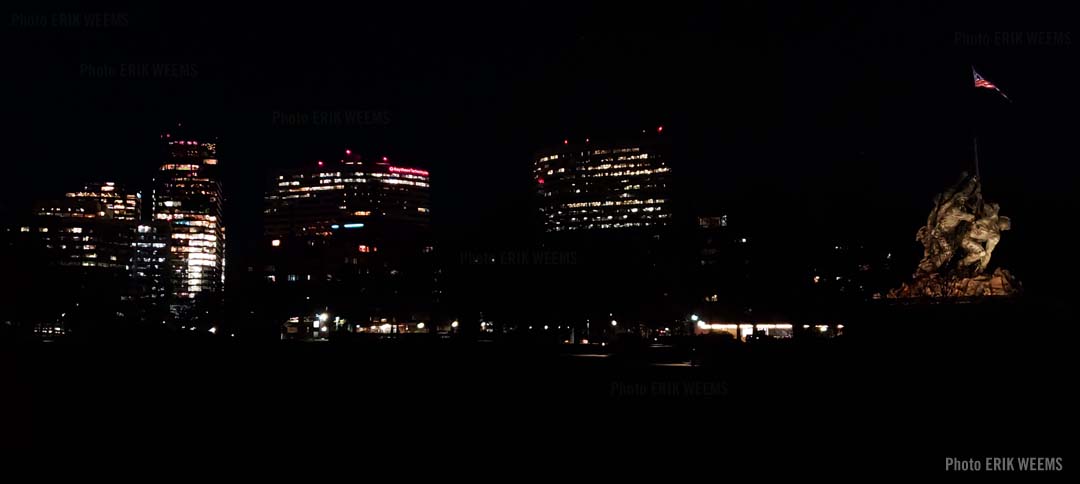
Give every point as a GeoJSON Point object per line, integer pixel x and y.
{"type": "Point", "coordinates": [960, 238]}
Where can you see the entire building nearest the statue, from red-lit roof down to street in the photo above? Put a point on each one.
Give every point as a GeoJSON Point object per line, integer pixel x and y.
{"type": "Point", "coordinates": [609, 204]}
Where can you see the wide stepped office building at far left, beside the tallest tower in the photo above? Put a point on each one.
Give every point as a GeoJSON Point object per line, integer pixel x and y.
{"type": "Point", "coordinates": [86, 261]}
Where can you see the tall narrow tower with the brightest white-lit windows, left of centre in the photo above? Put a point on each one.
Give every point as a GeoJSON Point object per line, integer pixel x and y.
{"type": "Point", "coordinates": [188, 197]}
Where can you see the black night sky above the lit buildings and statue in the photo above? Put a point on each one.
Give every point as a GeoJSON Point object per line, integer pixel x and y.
{"type": "Point", "coordinates": [805, 120]}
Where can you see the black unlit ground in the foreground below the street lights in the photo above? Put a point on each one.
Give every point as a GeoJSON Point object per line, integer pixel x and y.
{"type": "Point", "coordinates": [888, 394]}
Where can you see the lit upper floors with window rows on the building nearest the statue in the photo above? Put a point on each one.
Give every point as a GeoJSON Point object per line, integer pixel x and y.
{"type": "Point", "coordinates": [592, 185]}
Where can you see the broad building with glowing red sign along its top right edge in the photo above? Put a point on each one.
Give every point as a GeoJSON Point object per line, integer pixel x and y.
{"type": "Point", "coordinates": [350, 238]}
